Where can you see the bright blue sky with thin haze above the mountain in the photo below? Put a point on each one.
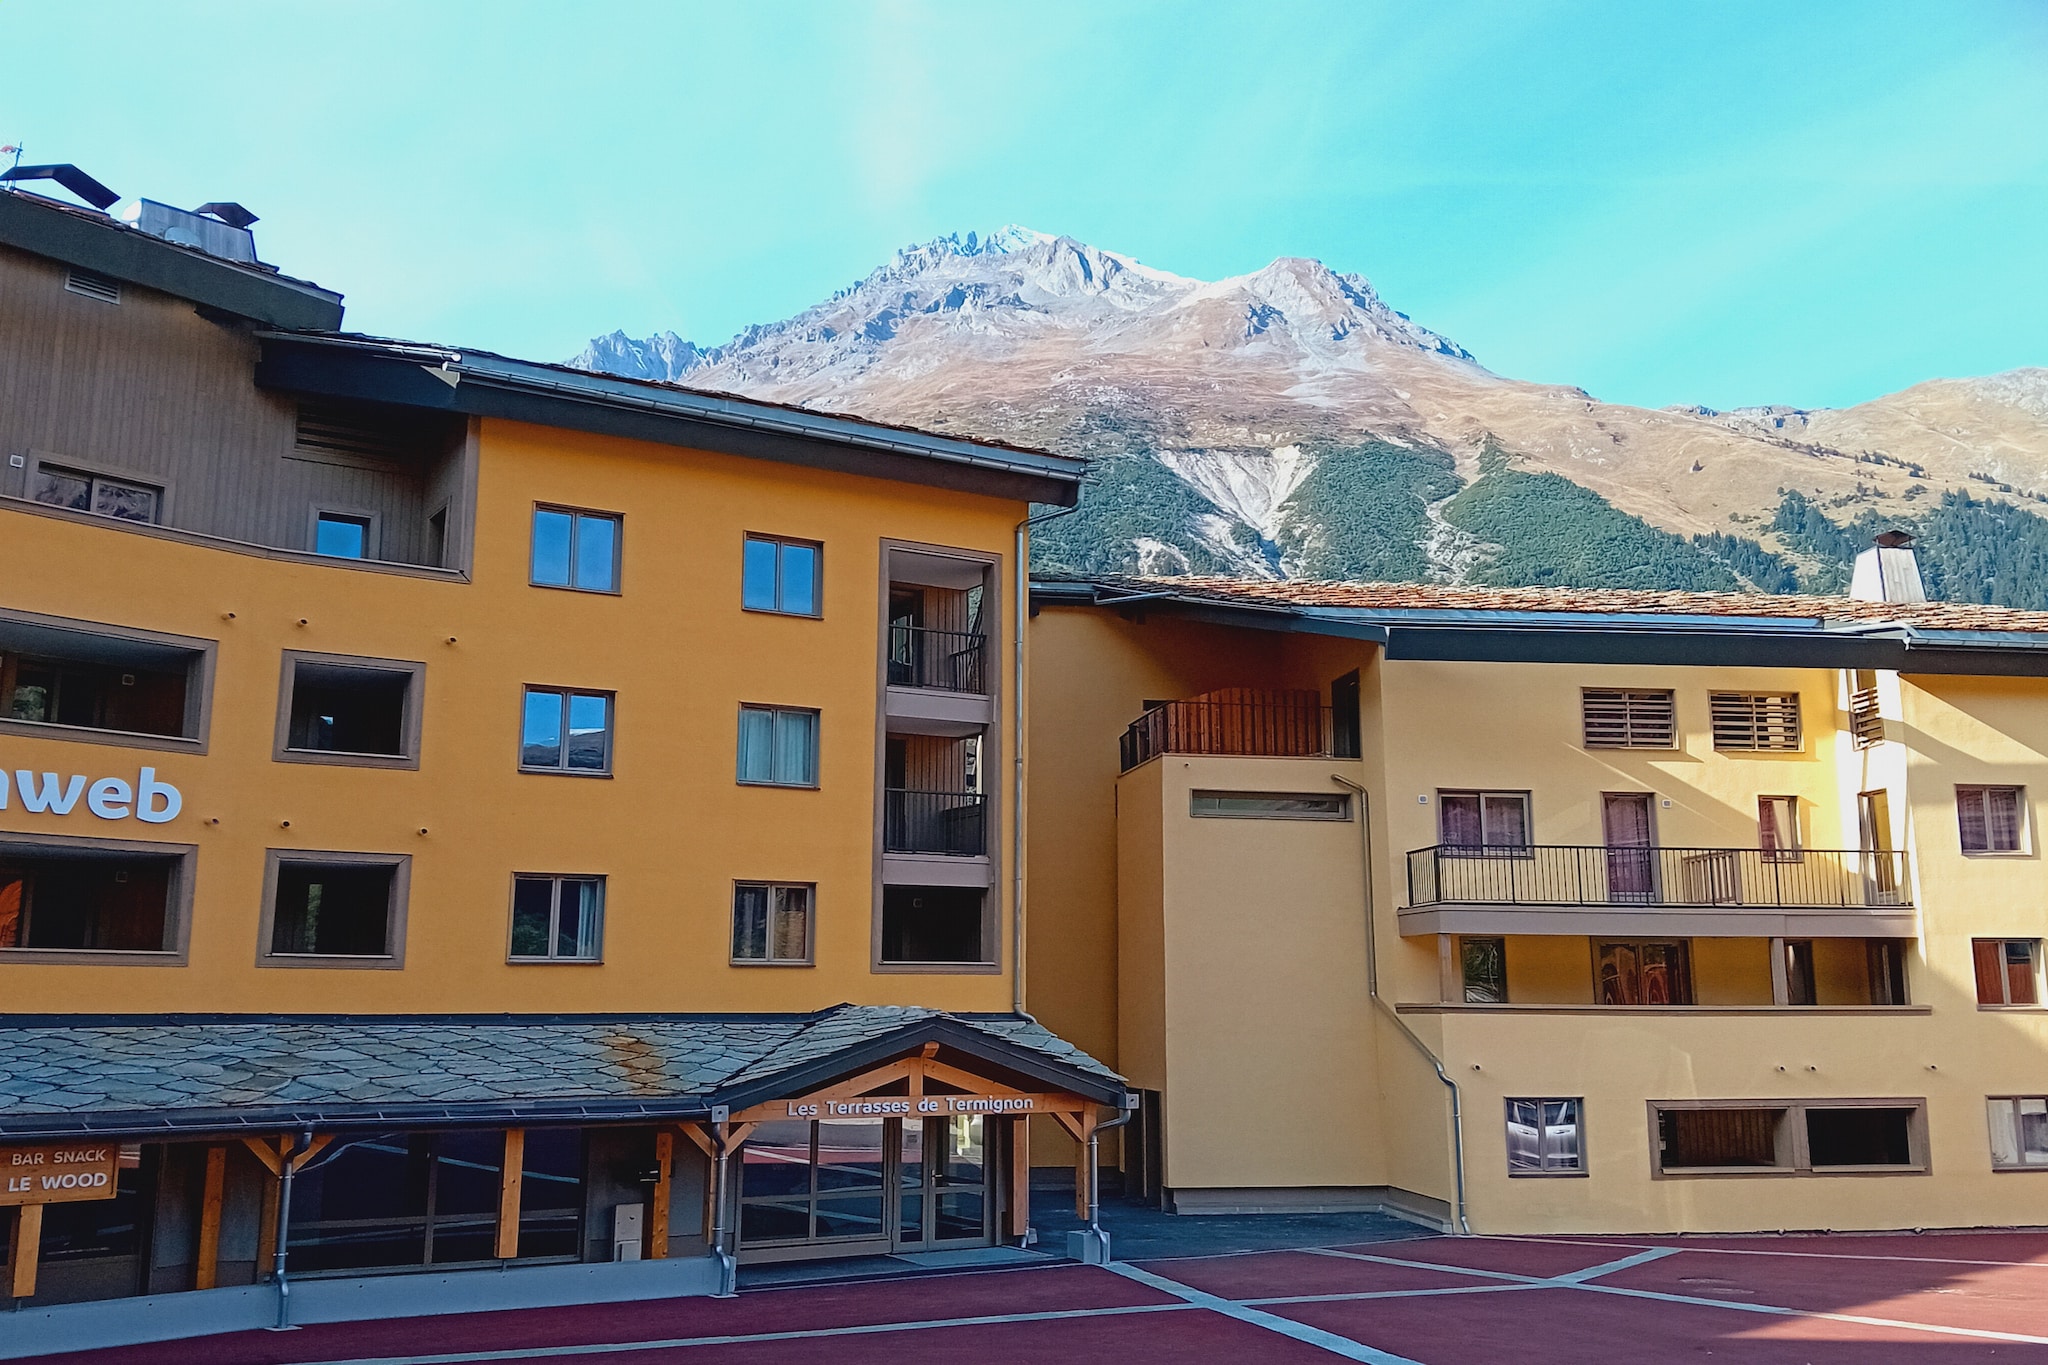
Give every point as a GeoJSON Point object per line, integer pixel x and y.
{"type": "Point", "coordinates": [1723, 204]}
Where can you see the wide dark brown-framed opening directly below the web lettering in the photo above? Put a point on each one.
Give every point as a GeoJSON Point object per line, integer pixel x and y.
{"type": "Point", "coordinates": [91, 897]}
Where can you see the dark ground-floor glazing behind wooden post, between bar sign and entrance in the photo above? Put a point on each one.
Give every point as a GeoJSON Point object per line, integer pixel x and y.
{"type": "Point", "coordinates": [388, 1200]}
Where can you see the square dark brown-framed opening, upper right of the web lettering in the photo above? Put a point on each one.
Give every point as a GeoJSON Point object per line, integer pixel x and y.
{"type": "Point", "coordinates": [339, 709]}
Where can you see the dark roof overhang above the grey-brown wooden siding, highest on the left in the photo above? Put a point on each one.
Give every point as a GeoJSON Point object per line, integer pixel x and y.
{"type": "Point", "coordinates": [105, 247]}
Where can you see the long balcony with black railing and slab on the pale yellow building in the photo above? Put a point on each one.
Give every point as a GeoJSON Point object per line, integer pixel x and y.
{"type": "Point", "coordinates": [1689, 891]}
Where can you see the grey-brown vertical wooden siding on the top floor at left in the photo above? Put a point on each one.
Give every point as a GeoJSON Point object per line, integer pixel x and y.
{"type": "Point", "coordinates": [155, 392]}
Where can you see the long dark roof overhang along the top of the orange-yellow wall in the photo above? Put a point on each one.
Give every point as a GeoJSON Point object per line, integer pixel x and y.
{"type": "Point", "coordinates": [493, 386]}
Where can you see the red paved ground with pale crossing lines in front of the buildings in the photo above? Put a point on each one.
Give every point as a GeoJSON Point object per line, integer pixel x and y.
{"type": "Point", "coordinates": [1768, 1301]}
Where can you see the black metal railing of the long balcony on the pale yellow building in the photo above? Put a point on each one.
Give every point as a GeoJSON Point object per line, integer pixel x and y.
{"type": "Point", "coordinates": [1592, 875]}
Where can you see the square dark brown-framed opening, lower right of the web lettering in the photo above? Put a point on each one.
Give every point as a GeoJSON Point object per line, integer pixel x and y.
{"type": "Point", "coordinates": [327, 908]}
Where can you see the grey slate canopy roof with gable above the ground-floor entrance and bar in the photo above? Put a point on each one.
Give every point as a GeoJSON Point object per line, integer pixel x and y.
{"type": "Point", "coordinates": [183, 1073]}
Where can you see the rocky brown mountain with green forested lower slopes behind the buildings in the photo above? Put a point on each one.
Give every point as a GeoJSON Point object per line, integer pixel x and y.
{"type": "Point", "coordinates": [1291, 425]}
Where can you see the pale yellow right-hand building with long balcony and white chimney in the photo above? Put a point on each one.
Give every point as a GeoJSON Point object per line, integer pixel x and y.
{"type": "Point", "coordinates": [1551, 912]}
